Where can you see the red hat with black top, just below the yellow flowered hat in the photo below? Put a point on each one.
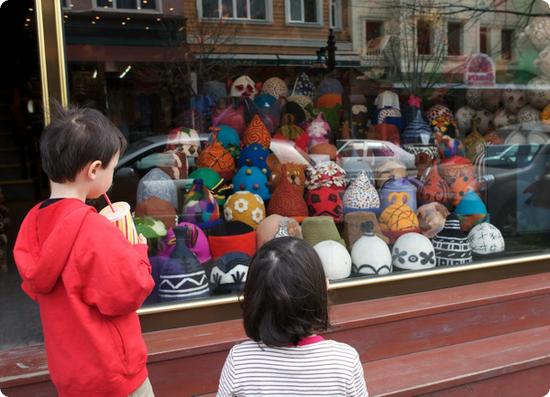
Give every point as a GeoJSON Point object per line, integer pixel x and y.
{"type": "Point", "coordinates": [230, 237]}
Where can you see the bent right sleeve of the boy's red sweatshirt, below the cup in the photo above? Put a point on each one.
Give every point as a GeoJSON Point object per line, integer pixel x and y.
{"type": "Point", "coordinates": [115, 275]}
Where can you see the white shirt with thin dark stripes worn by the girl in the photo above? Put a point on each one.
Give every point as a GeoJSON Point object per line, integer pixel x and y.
{"type": "Point", "coordinates": [324, 368]}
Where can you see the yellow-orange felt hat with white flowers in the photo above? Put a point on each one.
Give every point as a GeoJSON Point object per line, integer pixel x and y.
{"type": "Point", "coordinates": [245, 207]}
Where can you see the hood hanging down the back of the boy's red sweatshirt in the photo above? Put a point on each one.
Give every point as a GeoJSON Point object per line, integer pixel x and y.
{"type": "Point", "coordinates": [45, 242]}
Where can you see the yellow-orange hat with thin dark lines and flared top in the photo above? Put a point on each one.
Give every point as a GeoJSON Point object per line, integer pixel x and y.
{"type": "Point", "coordinates": [398, 218]}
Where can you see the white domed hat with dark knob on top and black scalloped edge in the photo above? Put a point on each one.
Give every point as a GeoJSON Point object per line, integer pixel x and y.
{"type": "Point", "coordinates": [370, 255]}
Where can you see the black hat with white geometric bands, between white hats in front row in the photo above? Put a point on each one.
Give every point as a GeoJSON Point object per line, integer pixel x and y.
{"type": "Point", "coordinates": [451, 245]}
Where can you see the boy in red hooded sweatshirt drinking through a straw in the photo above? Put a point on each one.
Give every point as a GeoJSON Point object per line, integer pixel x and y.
{"type": "Point", "coordinates": [86, 277]}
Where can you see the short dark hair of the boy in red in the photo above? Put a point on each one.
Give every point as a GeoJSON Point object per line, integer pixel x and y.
{"type": "Point", "coordinates": [76, 137]}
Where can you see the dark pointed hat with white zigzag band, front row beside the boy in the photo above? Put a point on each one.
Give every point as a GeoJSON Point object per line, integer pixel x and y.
{"type": "Point", "coordinates": [181, 276]}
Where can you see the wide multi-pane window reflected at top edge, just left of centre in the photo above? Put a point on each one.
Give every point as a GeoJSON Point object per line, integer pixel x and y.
{"type": "Point", "coordinates": [234, 9]}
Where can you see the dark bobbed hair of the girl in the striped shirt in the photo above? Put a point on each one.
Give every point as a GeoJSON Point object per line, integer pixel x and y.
{"type": "Point", "coordinates": [285, 295]}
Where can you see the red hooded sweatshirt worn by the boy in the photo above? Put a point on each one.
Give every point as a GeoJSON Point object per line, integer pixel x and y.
{"type": "Point", "coordinates": [89, 281]}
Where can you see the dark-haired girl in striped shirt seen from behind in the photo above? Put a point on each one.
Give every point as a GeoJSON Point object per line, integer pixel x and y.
{"type": "Point", "coordinates": [285, 304]}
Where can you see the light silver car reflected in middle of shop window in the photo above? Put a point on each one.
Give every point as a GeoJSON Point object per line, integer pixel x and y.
{"type": "Point", "coordinates": [358, 155]}
